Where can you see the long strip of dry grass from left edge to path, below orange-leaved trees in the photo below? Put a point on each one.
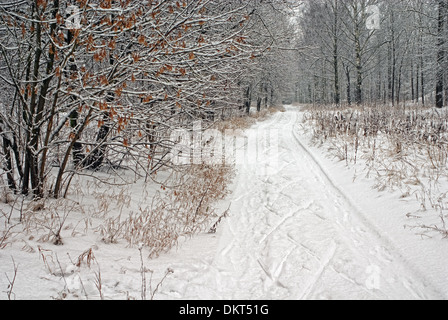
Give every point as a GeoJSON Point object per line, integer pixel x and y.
{"type": "Point", "coordinates": [183, 207]}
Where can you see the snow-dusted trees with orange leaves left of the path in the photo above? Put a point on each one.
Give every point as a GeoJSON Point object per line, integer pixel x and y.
{"type": "Point", "coordinates": [91, 83]}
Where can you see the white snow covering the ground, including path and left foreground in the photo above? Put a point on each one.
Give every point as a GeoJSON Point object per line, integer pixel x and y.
{"type": "Point", "coordinates": [299, 229]}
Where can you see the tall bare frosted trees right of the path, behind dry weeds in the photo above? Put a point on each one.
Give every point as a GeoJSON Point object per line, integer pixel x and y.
{"type": "Point", "coordinates": [374, 52]}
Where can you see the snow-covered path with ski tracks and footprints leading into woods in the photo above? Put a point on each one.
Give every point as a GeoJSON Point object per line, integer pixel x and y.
{"type": "Point", "coordinates": [296, 235]}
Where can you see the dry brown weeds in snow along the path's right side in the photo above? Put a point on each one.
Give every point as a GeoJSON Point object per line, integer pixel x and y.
{"type": "Point", "coordinates": [404, 150]}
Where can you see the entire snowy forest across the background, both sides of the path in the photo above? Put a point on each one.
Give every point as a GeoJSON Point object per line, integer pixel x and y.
{"type": "Point", "coordinates": [85, 82]}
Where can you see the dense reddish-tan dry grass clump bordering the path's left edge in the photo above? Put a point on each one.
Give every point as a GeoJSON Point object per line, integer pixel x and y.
{"type": "Point", "coordinates": [183, 208]}
